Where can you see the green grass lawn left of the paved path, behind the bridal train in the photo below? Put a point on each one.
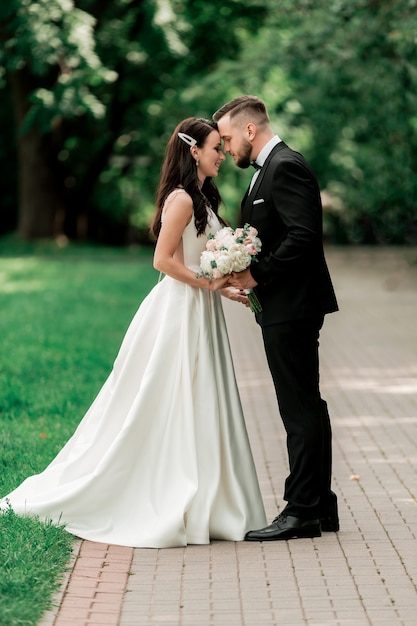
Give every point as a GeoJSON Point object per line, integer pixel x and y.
{"type": "Point", "coordinates": [63, 314]}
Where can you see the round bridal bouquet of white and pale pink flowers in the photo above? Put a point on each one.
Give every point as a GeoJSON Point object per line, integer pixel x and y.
{"type": "Point", "coordinates": [230, 251]}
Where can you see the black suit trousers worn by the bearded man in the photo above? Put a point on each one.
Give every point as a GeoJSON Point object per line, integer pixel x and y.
{"type": "Point", "coordinates": [292, 350]}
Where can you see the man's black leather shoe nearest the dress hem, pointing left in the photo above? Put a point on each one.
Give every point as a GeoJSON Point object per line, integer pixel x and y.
{"type": "Point", "coordinates": [286, 527]}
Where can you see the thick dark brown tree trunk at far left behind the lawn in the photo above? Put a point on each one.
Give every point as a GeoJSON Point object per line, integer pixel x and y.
{"type": "Point", "coordinates": [41, 200]}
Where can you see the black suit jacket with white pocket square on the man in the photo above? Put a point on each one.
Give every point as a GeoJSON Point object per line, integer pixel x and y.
{"type": "Point", "coordinates": [285, 207]}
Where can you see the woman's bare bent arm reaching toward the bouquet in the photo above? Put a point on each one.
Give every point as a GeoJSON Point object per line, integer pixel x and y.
{"type": "Point", "coordinates": [177, 215]}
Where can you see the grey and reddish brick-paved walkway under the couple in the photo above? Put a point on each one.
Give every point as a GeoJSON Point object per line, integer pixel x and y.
{"type": "Point", "coordinates": [366, 574]}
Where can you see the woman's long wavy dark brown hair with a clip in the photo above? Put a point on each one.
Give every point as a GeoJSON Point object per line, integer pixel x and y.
{"type": "Point", "coordinates": [179, 170]}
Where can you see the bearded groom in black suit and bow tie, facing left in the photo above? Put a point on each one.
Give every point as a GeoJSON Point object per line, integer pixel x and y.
{"type": "Point", "coordinates": [294, 287]}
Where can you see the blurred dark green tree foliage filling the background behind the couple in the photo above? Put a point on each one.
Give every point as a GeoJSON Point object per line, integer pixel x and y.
{"type": "Point", "coordinates": [111, 79]}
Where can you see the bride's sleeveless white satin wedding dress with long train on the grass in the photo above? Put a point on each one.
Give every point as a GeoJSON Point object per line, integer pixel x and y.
{"type": "Point", "coordinates": [161, 458]}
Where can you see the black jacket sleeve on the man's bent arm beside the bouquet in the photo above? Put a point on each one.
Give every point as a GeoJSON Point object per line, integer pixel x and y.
{"type": "Point", "coordinates": [296, 202]}
